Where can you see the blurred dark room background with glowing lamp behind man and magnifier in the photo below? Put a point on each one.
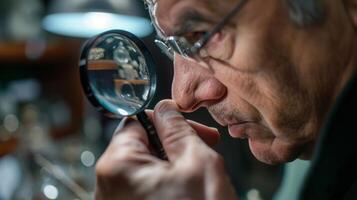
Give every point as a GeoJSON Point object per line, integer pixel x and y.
{"type": "Point", "coordinates": [50, 136]}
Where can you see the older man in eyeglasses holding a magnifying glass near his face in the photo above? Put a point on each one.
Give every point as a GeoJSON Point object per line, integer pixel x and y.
{"type": "Point", "coordinates": [271, 71]}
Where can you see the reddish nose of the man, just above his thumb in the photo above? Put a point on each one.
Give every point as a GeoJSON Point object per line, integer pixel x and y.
{"type": "Point", "coordinates": [195, 86]}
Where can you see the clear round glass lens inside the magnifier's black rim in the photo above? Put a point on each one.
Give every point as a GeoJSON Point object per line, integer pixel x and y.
{"type": "Point", "coordinates": [118, 74]}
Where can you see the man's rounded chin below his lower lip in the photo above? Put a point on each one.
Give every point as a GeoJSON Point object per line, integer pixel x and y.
{"type": "Point", "coordinates": [272, 152]}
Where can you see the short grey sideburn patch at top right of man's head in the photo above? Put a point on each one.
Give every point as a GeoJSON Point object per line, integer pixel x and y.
{"type": "Point", "coordinates": [306, 12]}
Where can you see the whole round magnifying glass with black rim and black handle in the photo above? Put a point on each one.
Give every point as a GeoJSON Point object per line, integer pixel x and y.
{"type": "Point", "coordinates": [118, 77]}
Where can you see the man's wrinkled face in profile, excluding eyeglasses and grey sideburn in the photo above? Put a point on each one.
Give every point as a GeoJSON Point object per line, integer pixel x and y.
{"type": "Point", "coordinates": [268, 79]}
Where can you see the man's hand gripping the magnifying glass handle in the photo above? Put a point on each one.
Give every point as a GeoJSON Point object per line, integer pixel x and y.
{"type": "Point", "coordinates": [127, 170]}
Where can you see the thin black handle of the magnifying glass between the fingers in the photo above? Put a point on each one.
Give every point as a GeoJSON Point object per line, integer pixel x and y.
{"type": "Point", "coordinates": [152, 135]}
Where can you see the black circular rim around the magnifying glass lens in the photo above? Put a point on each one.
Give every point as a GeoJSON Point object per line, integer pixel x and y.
{"type": "Point", "coordinates": [83, 72]}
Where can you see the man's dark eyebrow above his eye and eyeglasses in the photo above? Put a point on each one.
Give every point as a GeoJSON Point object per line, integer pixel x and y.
{"type": "Point", "coordinates": [187, 20]}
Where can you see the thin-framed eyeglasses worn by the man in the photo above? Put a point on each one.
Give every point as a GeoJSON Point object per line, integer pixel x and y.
{"type": "Point", "coordinates": [180, 45]}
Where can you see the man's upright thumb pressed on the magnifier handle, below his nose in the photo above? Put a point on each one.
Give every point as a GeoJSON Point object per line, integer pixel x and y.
{"type": "Point", "coordinates": [173, 129]}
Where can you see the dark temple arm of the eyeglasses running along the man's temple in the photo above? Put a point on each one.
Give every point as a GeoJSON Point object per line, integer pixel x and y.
{"type": "Point", "coordinates": [206, 37]}
